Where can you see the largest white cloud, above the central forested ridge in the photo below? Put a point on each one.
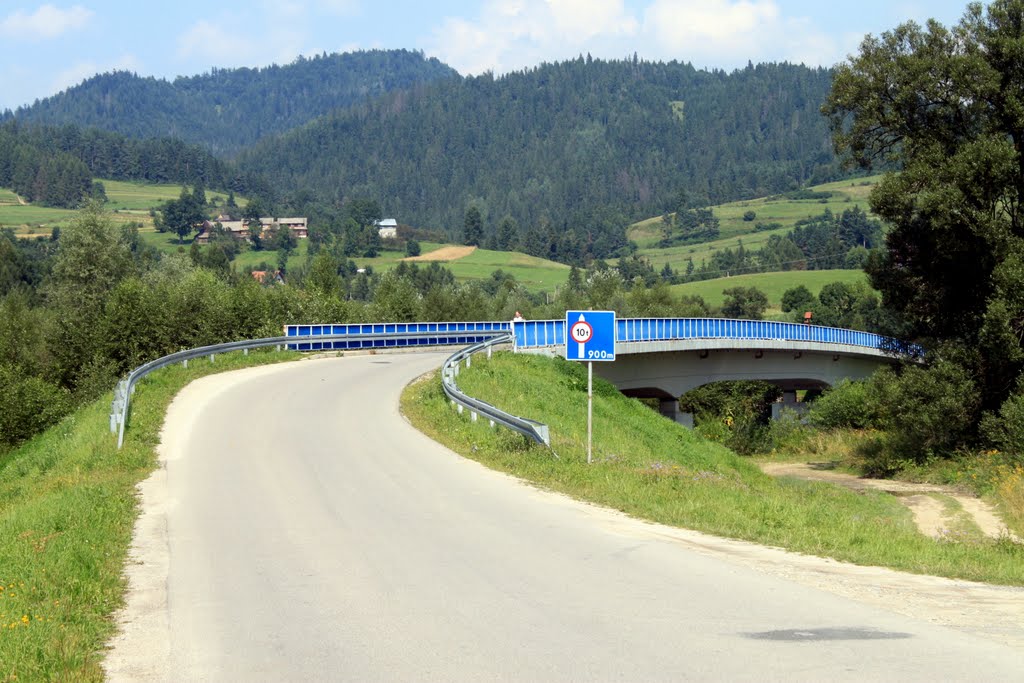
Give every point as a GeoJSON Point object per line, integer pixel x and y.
{"type": "Point", "coordinates": [513, 34]}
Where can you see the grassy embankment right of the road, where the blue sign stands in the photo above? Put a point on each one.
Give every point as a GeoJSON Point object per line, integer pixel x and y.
{"type": "Point", "coordinates": [657, 471]}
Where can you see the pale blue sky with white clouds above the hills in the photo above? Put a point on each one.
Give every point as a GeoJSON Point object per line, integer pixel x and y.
{"type": "Point", "coordinates": [49, 47]}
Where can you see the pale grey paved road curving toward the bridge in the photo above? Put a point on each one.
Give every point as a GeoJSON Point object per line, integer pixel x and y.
{"type": "Point", "coordinates": [302, 531]}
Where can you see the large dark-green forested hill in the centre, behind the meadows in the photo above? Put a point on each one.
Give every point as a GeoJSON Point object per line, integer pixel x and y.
{"type": "Point", "coordinates": [565, 141]}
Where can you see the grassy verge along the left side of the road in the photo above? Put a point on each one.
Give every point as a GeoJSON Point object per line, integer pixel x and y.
{"type": "Point", "coordinates": [67, 510]}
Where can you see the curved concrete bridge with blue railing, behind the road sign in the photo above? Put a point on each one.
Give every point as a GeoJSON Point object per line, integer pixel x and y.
{"type": "Point", "coordinates": [664, 359]}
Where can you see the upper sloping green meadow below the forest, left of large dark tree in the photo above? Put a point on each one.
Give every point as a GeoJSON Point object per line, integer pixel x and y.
{"type": "Point", "coordinates": [845, 195]}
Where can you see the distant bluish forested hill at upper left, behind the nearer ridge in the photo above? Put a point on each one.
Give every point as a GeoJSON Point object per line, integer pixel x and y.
{"type": "Point", "coordinates": [229, 109]}
